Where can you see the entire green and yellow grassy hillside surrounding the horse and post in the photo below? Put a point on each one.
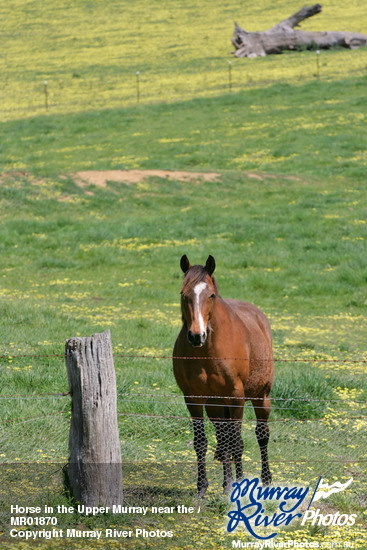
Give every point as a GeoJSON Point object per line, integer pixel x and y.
{"type": "Point", "coordinates": [285, 219]}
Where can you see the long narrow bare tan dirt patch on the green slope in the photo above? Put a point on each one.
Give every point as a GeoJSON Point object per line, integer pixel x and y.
{"type": "Point", "coordinates": [100, 178]}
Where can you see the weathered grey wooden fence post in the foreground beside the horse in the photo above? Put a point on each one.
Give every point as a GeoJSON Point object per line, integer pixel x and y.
{"type": "Point", "coordinates": [94, 469]}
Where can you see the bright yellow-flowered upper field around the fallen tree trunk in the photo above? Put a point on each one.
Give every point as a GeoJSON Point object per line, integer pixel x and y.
{"type": "Point", "coordinates": [89, 52]}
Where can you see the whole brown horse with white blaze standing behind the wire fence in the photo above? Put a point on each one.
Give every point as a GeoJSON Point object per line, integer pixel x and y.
{"type": "Point", "coordinates": [222, 357]}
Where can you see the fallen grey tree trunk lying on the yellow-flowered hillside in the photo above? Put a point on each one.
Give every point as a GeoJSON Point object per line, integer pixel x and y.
{"type": "Point", "coordinates": [283, 36]}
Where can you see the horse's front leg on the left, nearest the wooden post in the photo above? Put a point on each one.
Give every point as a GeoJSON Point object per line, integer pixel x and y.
{"type": "Point", "coordinates": [200, 445]}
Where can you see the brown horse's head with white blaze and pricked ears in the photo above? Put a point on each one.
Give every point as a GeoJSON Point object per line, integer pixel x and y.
{"type": "Point", "coordinates": [198, 294]}
